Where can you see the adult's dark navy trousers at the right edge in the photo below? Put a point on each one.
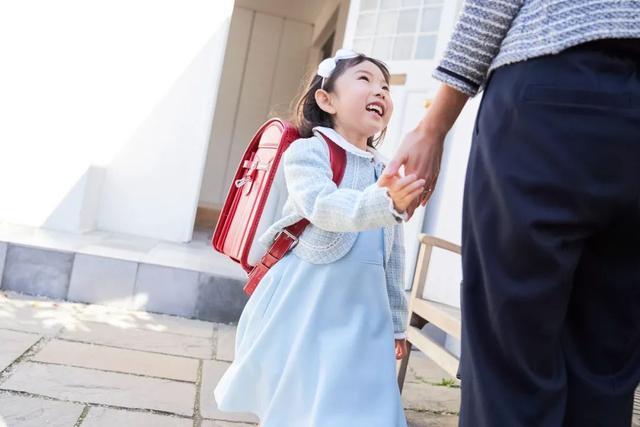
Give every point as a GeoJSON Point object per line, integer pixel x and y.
{"type": "Point", "coordinates": [551, 244]}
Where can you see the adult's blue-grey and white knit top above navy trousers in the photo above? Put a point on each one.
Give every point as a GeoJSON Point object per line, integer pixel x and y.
{"type": "Point", "coordinates": [492, 33]}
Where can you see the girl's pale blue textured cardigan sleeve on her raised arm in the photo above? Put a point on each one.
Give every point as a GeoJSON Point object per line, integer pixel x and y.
{"type": "Point", "coordinates": [309, 181]}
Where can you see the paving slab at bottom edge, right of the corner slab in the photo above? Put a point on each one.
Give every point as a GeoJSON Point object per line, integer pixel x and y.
{"type": "Point", "coordinates": [107, 417]}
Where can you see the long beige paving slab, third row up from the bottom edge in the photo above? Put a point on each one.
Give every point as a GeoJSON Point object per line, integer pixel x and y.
{"type": "Point", "coordinates": [118, 360]}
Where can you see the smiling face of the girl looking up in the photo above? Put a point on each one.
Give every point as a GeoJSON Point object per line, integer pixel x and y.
{"type": "Point", "coordinates": [359, 102]}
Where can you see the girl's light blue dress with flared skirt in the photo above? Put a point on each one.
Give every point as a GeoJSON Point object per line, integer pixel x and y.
{"type": "Point", "coordinates": [315, 347]}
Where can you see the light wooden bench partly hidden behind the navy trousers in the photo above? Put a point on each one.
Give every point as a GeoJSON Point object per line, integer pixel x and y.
{"type": "Point", "coordinates": [423, 311]}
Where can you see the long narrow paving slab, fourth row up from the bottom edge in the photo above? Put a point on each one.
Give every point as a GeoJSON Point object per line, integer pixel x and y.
{"type": "Point", "coordinates": [139, 339]}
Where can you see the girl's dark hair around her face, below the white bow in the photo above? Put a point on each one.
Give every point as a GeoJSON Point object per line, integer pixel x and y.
{"type": "Point", "coordinates": [308, 113]}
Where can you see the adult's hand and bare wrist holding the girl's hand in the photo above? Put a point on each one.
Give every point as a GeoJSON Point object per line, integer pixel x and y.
{"type": "Point", "coordinates": [421, 149]}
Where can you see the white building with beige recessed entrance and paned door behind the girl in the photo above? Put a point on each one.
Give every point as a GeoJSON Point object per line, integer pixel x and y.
{"type": "Point", "coordinates": [128, 118]}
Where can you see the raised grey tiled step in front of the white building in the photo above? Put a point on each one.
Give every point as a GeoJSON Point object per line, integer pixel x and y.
{"type": "Point", "coordinates": [188, 280]}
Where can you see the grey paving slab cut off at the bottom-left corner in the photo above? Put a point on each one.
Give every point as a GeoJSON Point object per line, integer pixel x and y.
{"type": "Point", "coordinates": [25, 411]}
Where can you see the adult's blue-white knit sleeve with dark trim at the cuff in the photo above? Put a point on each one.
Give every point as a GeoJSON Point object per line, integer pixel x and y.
{"type": "Point", "coordinates": [475, 42]}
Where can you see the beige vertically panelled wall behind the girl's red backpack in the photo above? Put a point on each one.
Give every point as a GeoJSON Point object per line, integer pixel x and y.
{"type": "Point", "coordinates": [264, 68]}
